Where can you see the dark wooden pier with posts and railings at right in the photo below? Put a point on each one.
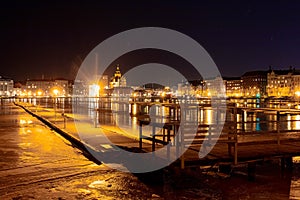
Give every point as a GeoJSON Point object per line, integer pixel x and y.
{"type": "Point", "coordinates": [234, 146]}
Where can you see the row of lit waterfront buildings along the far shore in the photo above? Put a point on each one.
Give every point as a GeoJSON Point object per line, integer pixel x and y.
{"type": "Point", "coordinates": [253, 84]}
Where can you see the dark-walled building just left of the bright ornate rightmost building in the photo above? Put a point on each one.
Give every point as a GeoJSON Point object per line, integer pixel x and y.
{"type": "Point", "coordinates": [255, 83]}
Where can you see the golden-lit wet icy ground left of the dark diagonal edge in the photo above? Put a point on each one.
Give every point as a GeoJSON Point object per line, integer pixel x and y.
{"type": "Point", "coordinates": [37, 163]}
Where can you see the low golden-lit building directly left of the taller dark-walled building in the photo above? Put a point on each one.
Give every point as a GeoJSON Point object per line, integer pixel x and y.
{"type": "Point", "coordinates": [234, 86]}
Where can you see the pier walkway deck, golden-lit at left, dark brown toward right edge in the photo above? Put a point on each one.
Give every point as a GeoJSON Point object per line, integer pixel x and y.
{"type": "Point", "coordinates": [232, 147]}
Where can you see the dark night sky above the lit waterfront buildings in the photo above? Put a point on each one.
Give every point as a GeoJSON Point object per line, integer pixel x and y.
{"type": "Point", "coordinates": [51, 38]}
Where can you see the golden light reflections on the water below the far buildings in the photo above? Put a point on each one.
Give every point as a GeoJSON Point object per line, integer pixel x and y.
{"type": "Point", "coordinates": [126, 114]}
